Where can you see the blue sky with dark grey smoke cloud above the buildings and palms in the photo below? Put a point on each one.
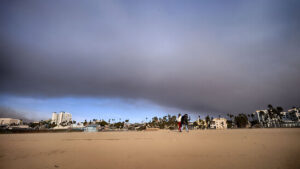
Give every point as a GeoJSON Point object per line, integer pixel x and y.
{"type": "Point", "coordinates": [136, 59]}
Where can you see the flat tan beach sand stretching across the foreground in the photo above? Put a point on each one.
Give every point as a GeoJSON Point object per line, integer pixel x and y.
{"type": "Point", "coordinates": [207, 149]}
